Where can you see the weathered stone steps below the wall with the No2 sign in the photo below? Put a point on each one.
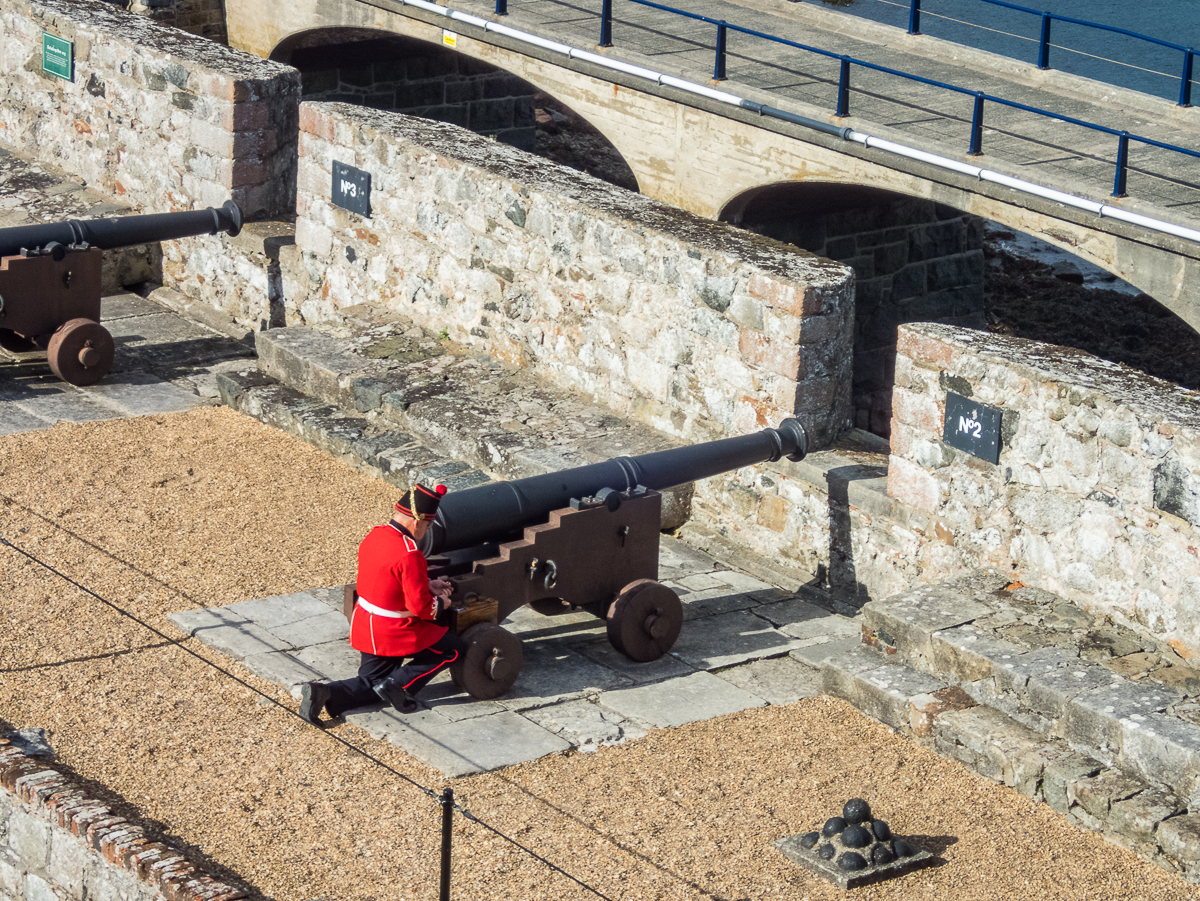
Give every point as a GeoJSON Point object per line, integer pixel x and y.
{"type": "Point", "coordinates": [1029, 690]}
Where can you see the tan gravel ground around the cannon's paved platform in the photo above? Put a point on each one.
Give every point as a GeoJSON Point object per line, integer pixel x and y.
{"type": "Point", "coordinates": [163, 514]}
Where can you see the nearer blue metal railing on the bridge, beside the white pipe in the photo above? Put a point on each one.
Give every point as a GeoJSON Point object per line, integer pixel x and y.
{"type": "Point", "coordinates": [845, 63]}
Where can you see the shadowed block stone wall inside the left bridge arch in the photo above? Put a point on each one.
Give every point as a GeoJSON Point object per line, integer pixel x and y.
{"type": "Point", "coordinates": [418, 79]}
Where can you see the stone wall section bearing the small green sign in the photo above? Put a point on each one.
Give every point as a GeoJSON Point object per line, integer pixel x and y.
{"type": "Point", "coordinates": [155, 118]}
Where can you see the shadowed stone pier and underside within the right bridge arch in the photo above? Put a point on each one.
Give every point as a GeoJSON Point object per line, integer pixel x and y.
{"type": "Point", "coordinates": [914, 261]}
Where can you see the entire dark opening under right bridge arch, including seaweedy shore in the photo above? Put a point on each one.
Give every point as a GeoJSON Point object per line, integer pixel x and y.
{"type": "Point", "coordinates": [919, 261]}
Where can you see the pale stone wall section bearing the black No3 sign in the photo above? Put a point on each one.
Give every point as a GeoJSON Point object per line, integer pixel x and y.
{"type": "Point", "coordinates": [694, 327]}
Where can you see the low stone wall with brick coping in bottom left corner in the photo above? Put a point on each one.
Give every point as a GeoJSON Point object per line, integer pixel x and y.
{"type": "Point", "coordinates": [58, 843]}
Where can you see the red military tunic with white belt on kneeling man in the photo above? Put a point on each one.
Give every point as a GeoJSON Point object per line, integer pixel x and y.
{"type": "Point", "coordinates": [393, 579]}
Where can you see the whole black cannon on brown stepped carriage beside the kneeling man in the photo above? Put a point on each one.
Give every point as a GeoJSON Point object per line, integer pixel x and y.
{"type": "Point", "coordinates": [584, 539]}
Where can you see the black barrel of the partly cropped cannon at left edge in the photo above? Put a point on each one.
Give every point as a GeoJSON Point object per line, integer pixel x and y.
{"type": "Point", "coordinates": [123, 231]}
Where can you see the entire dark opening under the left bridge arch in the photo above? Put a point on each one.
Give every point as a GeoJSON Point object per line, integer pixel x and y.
{"type": "Point", "coordinates": [406, 75]}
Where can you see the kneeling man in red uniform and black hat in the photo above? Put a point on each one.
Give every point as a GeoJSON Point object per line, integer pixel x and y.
{"type": "Point", "coordinates": [394, 618]}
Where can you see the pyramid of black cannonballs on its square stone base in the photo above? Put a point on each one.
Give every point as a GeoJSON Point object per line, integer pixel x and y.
{"type": "Point", "coordinates": [854, 849]}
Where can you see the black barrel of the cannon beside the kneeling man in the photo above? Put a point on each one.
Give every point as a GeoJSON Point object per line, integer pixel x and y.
{"type": "Point", "coordinates": [489, 513]}
